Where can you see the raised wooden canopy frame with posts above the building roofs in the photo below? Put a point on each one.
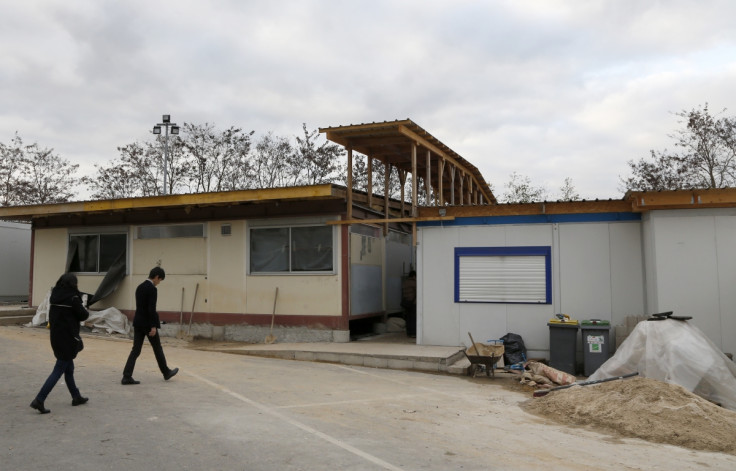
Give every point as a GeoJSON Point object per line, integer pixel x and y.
{"type": "Point", "coordinates": [404, 145]}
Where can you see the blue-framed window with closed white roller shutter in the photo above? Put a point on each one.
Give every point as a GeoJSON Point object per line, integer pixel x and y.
{"type": "Point", "coordinates": [503, 275]}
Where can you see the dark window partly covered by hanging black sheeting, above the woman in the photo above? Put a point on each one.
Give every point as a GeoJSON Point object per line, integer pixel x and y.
{"type": "Point", "coordinates": [96, 253]}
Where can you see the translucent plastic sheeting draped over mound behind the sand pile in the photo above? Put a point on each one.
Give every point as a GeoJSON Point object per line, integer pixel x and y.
{"type": "Point", "coordinates": [675, 352]}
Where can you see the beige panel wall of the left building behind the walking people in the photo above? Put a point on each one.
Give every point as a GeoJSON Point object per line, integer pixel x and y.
{"type": "Point", "coordinates": [214, 266]}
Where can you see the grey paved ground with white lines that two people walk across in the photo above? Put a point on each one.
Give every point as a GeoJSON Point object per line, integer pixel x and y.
{"type": "Point", "coordinates": [239, 412]}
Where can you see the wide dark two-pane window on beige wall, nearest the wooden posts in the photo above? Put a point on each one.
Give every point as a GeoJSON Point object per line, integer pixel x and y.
{"type": "Point", "coordinates": [298, 249]}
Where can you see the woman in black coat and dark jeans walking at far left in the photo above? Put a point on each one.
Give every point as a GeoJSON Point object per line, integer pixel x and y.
{"type": "Point", "coordinates": [65, 314]}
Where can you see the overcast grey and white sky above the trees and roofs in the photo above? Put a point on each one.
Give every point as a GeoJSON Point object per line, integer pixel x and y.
{"type": "Point", "coordinates": [547, 89]}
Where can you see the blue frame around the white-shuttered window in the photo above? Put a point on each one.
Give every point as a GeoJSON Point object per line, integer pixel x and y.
{"type": "Point", "coordinates": [518, 251]}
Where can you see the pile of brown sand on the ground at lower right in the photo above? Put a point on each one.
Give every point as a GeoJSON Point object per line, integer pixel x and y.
{"type": "Point", "coordinates": [642, 408]}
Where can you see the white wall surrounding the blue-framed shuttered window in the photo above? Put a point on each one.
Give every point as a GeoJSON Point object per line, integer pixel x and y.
{"type": "Point", "coordinates": [597, 272]}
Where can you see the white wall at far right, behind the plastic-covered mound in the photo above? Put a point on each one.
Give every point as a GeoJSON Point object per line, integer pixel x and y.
{"type": "Point", "coordinates": [691, 263]}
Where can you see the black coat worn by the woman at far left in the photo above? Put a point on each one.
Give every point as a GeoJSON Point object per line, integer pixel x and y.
{"type": "Point", "coordinates": [65, 314]}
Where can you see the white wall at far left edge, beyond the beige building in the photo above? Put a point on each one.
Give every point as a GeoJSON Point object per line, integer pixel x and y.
{"type": "Point", "coordinates": [15, 260]}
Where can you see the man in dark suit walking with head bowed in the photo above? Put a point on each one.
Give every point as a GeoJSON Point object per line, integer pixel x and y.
{"type": "Point", "coordinates": [146, 324]}
